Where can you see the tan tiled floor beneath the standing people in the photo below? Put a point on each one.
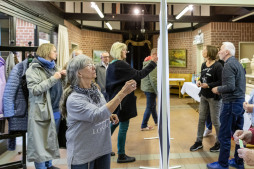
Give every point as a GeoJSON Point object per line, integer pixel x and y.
{"type": "Point", "coordinates": [183, 123]}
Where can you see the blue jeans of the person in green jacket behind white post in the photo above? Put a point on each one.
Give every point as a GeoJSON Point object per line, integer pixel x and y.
{"type": "Point", "coordinates": [150, 109]}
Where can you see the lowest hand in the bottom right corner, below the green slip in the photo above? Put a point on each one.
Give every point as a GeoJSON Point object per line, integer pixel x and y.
{"type": "Point", "coordinates": [247, 155]}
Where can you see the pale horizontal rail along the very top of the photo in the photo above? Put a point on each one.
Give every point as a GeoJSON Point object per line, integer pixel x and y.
{"type": "Point", "coordinates": [204, 2]}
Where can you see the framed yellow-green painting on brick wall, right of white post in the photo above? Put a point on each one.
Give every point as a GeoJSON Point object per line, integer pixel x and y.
{"type": "Point", "coordinates": [177, 58]}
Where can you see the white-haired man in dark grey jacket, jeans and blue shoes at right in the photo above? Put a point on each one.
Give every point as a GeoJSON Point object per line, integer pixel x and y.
{"type": "Point", "coordinates": [231, 115]}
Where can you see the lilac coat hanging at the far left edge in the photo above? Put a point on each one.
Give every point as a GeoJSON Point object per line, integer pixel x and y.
{"type": "Point", "coordinates": [2, 84]}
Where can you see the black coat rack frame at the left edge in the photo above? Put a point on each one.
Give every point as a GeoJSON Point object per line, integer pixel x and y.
{"type": "Point", "coordinates": [21, 163]}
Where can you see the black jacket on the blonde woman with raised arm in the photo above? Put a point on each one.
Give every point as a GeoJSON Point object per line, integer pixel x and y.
{"type": "Point", "coordinates": [117, 74]}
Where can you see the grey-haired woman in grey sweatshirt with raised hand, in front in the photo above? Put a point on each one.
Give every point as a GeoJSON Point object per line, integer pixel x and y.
{"type": "Point", "coordinates": [88, 116]}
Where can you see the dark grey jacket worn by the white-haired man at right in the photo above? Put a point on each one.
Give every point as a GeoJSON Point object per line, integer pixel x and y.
{"type": "Point", "coordinates": [233, 81]}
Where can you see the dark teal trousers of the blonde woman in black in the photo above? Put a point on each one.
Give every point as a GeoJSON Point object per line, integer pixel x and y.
{"type": "Point", "coordinates": [123, 128]}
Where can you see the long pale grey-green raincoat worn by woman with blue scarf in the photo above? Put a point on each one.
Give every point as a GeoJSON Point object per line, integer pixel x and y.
{"type": "Point", "coordinates": [42, 137]}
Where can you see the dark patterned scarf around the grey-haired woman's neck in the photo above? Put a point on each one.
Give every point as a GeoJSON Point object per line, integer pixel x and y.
{"type": "Point", "coordinates": [91, 93]}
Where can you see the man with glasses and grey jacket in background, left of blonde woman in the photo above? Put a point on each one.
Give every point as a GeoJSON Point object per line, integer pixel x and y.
{"type": "Point", "coordinates": [101, 69]}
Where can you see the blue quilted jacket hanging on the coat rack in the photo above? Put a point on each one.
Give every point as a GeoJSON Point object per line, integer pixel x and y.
{"type": "Point", "coordinates": [14, 103]}
